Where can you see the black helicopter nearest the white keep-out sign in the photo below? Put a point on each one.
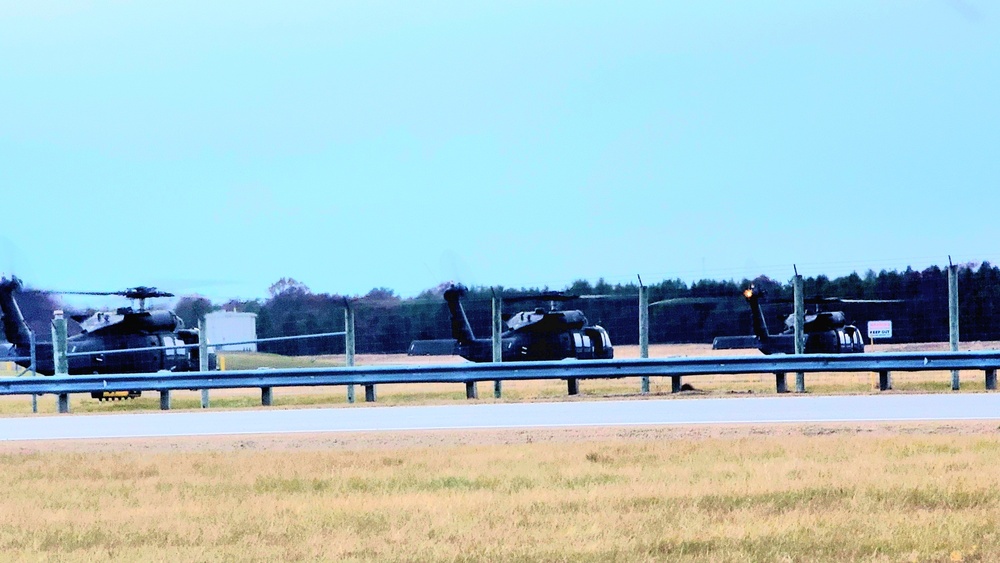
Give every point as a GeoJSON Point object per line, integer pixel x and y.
{"type": "Point", "coordinates": [826, 332]}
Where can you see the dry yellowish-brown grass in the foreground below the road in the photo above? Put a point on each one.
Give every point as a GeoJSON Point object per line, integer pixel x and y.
{"type": "Point", "coordinates": [836, 493]}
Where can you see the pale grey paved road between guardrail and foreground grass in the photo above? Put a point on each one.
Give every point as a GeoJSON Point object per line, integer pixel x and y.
{"type": "Point", "coordinates": [583, 413]}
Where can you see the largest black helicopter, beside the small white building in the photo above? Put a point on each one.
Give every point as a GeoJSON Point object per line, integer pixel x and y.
{"type": "Point", "coordinates": [122, 329]}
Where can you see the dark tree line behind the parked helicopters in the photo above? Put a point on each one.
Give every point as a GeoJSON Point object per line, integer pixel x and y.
{"type": "Point", "coordinates": [387, 323]}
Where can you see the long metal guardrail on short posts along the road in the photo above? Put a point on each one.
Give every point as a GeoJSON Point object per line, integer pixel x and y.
{"type": "Point", "coordinates": [469, 374]}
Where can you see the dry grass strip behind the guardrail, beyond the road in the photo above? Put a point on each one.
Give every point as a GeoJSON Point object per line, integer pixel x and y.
{"type": "Point", "coordinates": [821, 383]}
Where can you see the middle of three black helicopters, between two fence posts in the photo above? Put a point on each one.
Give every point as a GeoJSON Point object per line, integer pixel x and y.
{"type": "Point", "coordinates": [531, 335]}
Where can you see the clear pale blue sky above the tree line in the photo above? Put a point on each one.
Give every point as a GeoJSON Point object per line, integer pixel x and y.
{"type": "Point", "coordinates": [214, 148]}
